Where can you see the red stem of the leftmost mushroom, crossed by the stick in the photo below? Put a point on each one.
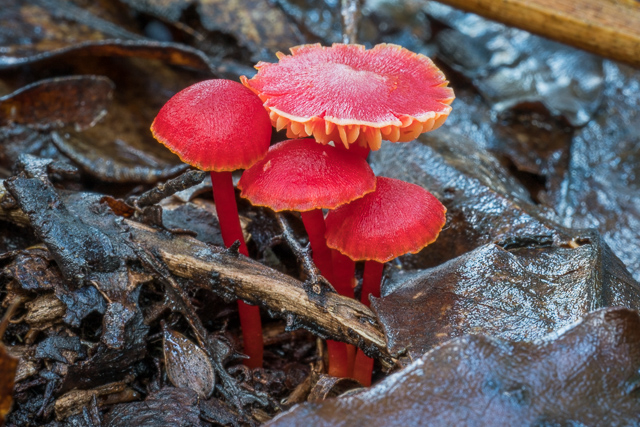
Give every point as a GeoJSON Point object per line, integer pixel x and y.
{"type": "Point", "coordinates": [225, 199]}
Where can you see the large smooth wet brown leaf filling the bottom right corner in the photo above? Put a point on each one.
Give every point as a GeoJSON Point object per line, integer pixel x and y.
{"type": "Point", "coordinates": [588, 375]}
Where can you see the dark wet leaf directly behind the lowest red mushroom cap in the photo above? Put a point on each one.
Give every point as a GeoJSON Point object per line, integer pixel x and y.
{"type": "Point", "coordinates": [485, 204]}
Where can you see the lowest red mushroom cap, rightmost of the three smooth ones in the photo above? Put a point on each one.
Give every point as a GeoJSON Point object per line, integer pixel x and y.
{"type": "Point", "coordinates": [396, 219]}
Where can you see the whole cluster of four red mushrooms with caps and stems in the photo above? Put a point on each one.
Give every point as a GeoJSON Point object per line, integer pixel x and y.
{"type": "Point", "coordinates": [347, 99]}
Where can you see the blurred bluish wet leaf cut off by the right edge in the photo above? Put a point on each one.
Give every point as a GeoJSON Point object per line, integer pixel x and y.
{"type": "Point", "coordinates": [601, 186]}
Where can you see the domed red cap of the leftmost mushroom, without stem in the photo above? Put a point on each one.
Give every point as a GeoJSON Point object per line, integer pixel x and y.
{"type": "Point", "coordinates": [214, 125]}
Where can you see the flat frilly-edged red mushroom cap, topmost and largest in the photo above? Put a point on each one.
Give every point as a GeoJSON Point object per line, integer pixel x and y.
{"type": "Point", "coordinates": [350, 94]}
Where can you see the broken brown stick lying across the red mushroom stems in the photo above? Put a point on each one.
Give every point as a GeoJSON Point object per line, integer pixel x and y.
{"type": "Point", "coordinates": [327, 314]}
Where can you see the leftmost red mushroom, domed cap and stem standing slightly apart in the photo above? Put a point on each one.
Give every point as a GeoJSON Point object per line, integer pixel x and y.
{"type": "Point", "coordinates": [220, 126]}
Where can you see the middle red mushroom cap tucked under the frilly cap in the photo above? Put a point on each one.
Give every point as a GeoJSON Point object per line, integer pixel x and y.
{"type": "Point", "coordinates": [300, 175]}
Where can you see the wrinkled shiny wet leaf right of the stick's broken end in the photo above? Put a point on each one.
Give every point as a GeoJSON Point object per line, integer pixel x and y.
{"type": "Point", "coordinates": [517, 294]}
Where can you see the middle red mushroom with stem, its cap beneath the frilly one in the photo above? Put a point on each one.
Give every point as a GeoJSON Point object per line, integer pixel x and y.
{"type": "Point", "coordinates": [299, 175]}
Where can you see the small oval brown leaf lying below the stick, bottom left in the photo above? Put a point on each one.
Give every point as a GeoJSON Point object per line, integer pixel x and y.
{"type": "Point", "coordinates": [188, 366]}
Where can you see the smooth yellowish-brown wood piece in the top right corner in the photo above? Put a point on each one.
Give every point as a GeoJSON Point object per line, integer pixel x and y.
{"type": "Point", "coordinates": [610, 28]}
